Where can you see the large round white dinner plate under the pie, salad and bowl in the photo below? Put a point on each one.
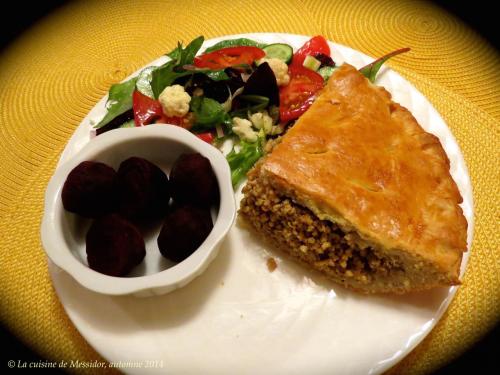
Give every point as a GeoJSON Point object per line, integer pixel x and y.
{"type": "Point", "coordinates": [240, 318]}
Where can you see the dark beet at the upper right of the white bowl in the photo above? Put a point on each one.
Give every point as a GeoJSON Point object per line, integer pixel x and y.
{"type": "Point", "coordinates": [192, 179]}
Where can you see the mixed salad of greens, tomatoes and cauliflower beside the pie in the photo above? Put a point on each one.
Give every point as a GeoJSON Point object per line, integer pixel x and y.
{"type": "Point", "coordinates": [238, 89]}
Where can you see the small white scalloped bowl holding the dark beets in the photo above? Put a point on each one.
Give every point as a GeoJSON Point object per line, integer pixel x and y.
{"type": "Point", "coordinates": [63, 233]}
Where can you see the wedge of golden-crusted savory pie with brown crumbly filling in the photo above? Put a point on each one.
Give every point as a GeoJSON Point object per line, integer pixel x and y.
{"type": "Point", "coordinates": [359, 191]}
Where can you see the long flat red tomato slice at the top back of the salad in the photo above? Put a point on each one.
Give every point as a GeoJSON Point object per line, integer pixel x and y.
{"type": "Point", "coordinates": [227, 57]}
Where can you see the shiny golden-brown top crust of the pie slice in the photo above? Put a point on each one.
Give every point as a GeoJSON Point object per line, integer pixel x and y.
{"type": "Point", "coordinates": [360, 160]}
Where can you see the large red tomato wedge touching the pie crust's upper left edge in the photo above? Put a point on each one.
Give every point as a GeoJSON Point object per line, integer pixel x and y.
{"type": "Point", "coordinates": [298, 95]}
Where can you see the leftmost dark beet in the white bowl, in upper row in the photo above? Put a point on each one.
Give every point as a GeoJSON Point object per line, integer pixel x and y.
{"type": "Point", "coordinates": [88, 189]}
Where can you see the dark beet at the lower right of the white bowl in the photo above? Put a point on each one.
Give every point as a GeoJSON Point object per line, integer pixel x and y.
{"type": "Point", "coordinates": [184, 230]}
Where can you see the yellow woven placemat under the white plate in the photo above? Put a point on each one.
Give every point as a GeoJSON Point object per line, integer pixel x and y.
{"type": "Point", "coordinates": [56, 72]}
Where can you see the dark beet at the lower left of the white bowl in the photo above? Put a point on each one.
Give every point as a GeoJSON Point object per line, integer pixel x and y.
{"type": "Point", "coordinates": [114, 246]}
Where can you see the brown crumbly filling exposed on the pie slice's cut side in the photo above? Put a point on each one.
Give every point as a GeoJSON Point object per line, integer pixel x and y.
{"type": "Point", "coordinates": [321, 243]}
